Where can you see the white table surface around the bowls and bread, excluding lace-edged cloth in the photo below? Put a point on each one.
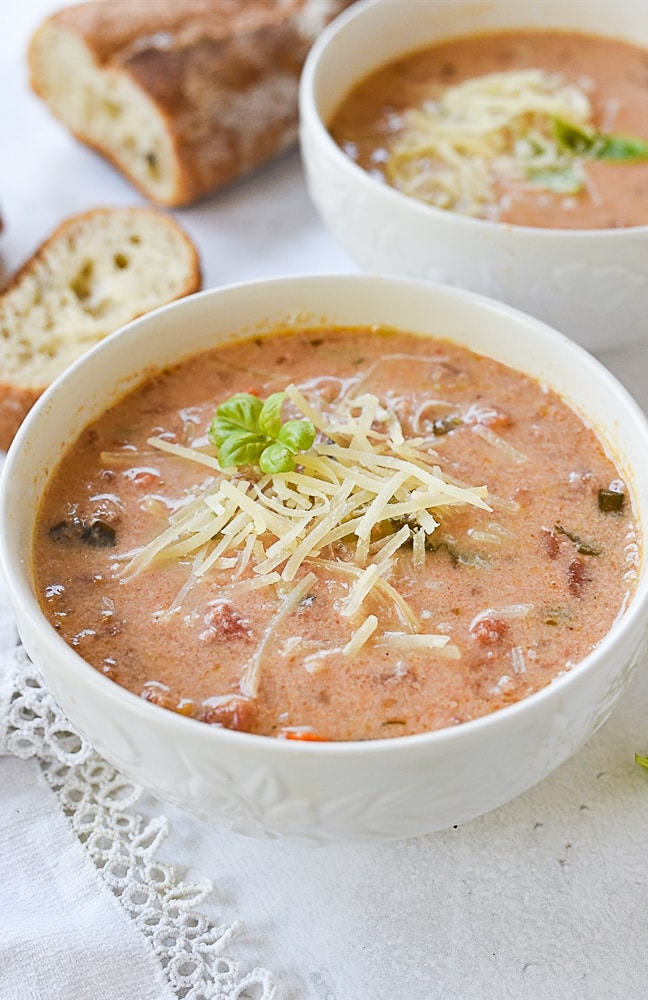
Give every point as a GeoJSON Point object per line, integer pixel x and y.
{"type": "Point", "coordinates": [546, 897]}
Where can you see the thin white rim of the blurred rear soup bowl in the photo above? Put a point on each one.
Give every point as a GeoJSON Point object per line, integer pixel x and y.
{"type": "Point", "coordinates": [311, 120]}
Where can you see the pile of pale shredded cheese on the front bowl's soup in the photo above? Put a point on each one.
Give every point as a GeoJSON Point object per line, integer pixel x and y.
{"type": "Point", "coordinates": [361, 482]}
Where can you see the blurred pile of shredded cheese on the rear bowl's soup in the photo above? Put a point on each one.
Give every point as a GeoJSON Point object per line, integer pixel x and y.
{"type": "Point", "coordinates": [452, 151]}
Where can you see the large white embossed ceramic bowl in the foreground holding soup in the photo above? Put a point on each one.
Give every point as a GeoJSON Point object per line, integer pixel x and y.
{"type": "Point", "coordinates": [322, 792]}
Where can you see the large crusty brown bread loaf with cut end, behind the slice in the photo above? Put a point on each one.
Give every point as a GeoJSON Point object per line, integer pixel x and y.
{"type": "Point", "coordinates": [182, 96]}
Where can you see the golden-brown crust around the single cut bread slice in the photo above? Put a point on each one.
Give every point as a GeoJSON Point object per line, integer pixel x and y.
{"type": "Point", "coordinates": [16, 400]}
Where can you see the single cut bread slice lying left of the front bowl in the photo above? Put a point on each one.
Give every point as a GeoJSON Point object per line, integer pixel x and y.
{"type": "Point", "coordinates": [96, 272]}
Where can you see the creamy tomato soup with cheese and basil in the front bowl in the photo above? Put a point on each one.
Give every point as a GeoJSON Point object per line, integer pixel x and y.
{"type": "Point", "coordinates": [336, 534]}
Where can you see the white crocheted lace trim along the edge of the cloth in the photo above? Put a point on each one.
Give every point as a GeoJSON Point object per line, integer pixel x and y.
{"type": "Point", "coordinates": [100, 805]}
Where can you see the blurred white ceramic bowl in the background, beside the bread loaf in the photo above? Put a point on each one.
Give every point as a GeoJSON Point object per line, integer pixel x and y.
{"type": "Point", "coordinates": [592, 285]}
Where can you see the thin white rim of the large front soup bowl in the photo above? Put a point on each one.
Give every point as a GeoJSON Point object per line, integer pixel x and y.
{"type": "Point", "coordinates": [22, 597]}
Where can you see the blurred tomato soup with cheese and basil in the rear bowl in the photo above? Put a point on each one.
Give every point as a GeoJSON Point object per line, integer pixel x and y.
{"type": "Point", "coordinates": [536, 128]}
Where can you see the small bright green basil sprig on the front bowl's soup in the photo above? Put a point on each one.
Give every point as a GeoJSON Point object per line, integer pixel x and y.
{"type": "Point", "coordinates": [249, 431]}
